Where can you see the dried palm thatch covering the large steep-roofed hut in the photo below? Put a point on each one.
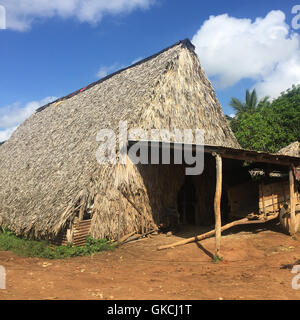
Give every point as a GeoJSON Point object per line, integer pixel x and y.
{"type": "Point", "coordinates": [48, 170]}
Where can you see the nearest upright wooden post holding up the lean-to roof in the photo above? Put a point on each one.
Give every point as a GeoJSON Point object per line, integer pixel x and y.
{"type": "Point", "coordinates": [217, 204]}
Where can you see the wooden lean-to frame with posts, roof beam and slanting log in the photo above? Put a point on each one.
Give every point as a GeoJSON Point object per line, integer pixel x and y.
{"type": "Point", "coordinates": [276, 160]}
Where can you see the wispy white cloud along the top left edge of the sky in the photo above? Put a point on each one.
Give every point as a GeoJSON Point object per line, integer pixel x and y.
{"type": "Point", "coordinates": [21, 14]}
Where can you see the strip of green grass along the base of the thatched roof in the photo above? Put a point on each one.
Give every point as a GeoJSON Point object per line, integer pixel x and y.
{"type": "Point", "coordinates": [43, 249]}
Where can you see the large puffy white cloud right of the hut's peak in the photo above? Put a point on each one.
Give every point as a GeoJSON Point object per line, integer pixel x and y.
{"type": "Point", "coordinates": [265, 50]}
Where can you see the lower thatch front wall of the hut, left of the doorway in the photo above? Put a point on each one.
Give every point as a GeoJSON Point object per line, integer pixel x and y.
{"type": "Point", "coordinates": [141, 195]}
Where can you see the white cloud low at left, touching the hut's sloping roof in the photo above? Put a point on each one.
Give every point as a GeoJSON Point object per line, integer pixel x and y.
{"type": "Point", "coordinates": [12, 115]}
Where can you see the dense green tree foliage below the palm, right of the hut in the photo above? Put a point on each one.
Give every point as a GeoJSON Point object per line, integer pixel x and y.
{"type": "Point", "coordinates": [271, 126]}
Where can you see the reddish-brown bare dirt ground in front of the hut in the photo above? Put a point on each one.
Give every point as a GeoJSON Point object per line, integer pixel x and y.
{"type": "Point", "coordinates": [257, 265]}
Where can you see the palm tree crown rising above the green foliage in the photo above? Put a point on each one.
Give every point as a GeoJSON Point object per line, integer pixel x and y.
{"type": "Point", "coordinates": [251, 103]}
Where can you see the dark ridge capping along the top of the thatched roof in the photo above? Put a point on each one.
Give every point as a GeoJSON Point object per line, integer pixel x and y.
{"type": "Point", "coordinates": [186, 43]}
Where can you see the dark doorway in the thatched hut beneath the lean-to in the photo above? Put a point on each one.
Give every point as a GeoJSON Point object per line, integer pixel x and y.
{"type": "Point", "coordinates": [187, 201]}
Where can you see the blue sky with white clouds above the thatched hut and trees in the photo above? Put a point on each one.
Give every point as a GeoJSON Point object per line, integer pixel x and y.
{"type": "Point", "coordinates": [50, 50]}
